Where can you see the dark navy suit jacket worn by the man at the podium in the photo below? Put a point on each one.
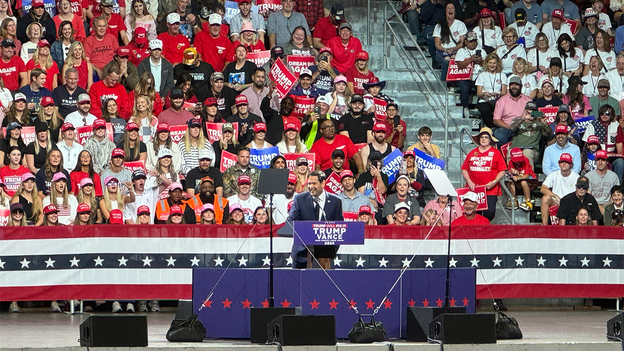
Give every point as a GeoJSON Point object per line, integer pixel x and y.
{"type": "Point", "coordinates": [303, 210]}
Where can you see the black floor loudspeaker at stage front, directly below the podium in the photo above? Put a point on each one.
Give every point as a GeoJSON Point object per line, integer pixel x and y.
{"type": "Point", "coordinates": [302, 330]}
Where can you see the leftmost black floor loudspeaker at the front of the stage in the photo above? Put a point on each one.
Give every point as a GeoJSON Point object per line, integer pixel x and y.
{"type": "Point", "coordinates": [111, 331]}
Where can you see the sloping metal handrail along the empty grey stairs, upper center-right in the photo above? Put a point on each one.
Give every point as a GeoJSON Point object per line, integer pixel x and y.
{"type": "Point", "coordinates": [442, 105]}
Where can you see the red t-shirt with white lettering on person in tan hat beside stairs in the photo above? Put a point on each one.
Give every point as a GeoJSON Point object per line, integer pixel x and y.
{"type": "Point", "coordinates": [483, 167]}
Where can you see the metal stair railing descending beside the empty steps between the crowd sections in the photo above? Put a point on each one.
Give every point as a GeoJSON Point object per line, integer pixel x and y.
{"type": "Point", "coordinates": [434, 91]}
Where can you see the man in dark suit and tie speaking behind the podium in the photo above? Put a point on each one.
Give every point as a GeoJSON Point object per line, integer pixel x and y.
{"type": "Point", "coordinates": [315, 205]}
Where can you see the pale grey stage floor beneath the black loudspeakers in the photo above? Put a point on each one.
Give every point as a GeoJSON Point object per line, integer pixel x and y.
{"type": "Point", "coordinates": [543, 330]}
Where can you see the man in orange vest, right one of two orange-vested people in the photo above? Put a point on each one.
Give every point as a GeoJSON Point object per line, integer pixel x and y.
{"type": "Point", "coordinates": [207, 195]}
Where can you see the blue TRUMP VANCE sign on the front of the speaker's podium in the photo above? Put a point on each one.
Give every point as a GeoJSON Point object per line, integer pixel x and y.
{"type": "Point", "coordinates": [329, 233]}
